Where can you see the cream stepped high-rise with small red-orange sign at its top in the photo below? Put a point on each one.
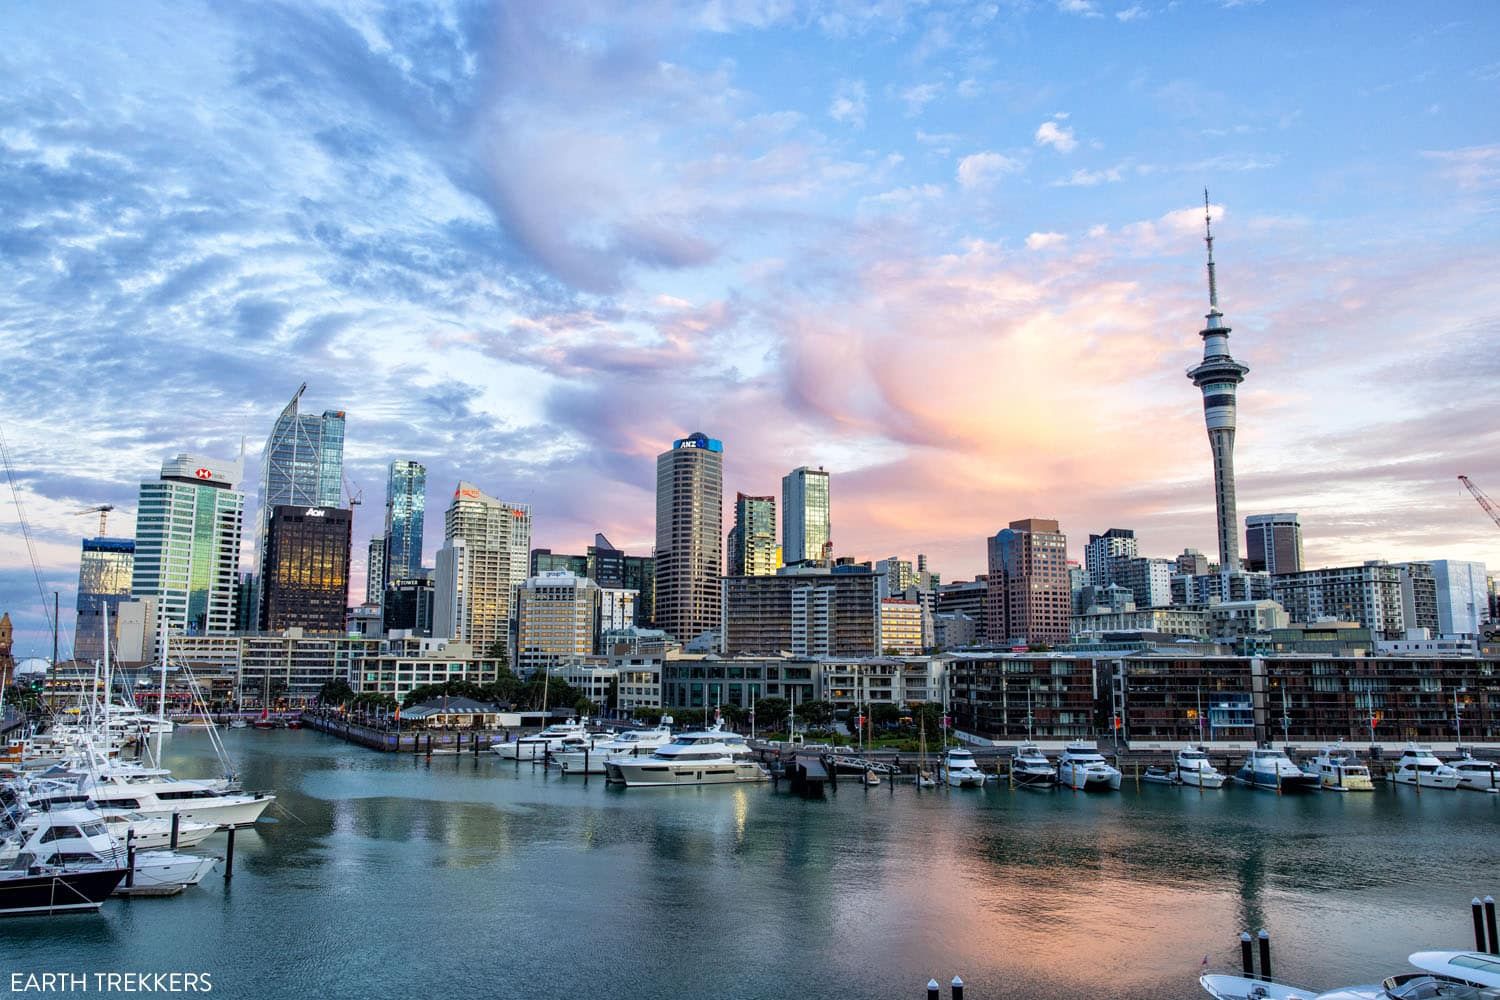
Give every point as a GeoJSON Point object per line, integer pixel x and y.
{"type": "Point", "coordinates": [479, 569]}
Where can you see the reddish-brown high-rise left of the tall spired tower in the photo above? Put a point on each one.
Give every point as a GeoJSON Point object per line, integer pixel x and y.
{"type": "Point", "coordinates": [1028, 599]}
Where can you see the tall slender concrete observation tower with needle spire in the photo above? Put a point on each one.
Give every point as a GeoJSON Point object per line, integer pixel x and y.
{"type": "Point", "coordinates": [1220, 377]}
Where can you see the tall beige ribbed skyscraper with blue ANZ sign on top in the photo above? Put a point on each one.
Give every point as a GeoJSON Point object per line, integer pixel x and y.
{"type": "Point", "coordinates": [691, 536]}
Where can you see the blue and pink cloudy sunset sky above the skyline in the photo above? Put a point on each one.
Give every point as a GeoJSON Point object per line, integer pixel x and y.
{"type": "Point", "coordinates": [949, 251]}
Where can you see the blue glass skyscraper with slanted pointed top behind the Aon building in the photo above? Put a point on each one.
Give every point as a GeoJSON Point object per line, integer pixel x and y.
{"type": "Point", "coordinates": [302, 466]}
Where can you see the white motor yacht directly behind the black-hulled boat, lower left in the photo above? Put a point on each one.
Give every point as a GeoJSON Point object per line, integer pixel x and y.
{"type": "Point", "coordinates": [79, 839]}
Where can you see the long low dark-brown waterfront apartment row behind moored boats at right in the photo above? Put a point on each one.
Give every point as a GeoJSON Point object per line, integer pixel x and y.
{"type": "Point", "coordinates": [1160, 696]}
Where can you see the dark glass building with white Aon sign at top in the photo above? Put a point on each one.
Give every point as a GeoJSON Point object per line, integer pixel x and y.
{"type": "Point", "coordinates": [307, 582]}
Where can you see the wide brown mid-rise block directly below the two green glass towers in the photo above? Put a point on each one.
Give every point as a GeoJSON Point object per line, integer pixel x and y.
{"type": "Point", "coordinates": [803, 611]}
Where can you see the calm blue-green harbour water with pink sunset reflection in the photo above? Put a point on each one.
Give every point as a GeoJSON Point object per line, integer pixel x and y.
{"type": "Point", "coordinates": [457, 878]}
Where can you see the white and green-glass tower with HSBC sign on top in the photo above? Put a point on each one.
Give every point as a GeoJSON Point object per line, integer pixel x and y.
{"type": "Point", "coordinates": [188, 530]}
